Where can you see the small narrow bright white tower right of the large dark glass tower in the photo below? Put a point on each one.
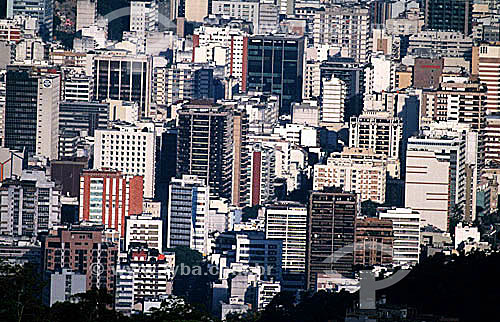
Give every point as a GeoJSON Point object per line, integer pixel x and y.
{"type": "Point", "coordinates": [333, 96]}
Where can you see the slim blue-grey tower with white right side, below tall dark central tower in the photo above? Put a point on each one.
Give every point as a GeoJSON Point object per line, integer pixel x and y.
{"type": "Point", "coordinates": [187, 217]}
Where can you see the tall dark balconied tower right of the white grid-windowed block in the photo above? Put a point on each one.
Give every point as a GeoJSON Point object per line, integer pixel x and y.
{"type": "Point", "coordinates": [205, 145]}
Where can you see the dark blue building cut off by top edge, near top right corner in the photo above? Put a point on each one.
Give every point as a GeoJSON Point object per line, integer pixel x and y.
{"type": "Point", "coordinates": [447, 15]}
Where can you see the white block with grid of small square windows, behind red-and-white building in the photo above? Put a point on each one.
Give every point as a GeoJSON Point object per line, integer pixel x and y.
{"type": "Point", "coordinates": [129, 149]}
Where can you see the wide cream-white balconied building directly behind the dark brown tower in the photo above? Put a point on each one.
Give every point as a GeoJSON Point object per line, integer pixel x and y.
{"type": "Point", "coordinates": [356, 170]}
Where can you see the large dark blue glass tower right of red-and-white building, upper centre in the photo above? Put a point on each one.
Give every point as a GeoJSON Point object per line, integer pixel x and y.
{"type": "Point", "coordinates": [275, 66]}
